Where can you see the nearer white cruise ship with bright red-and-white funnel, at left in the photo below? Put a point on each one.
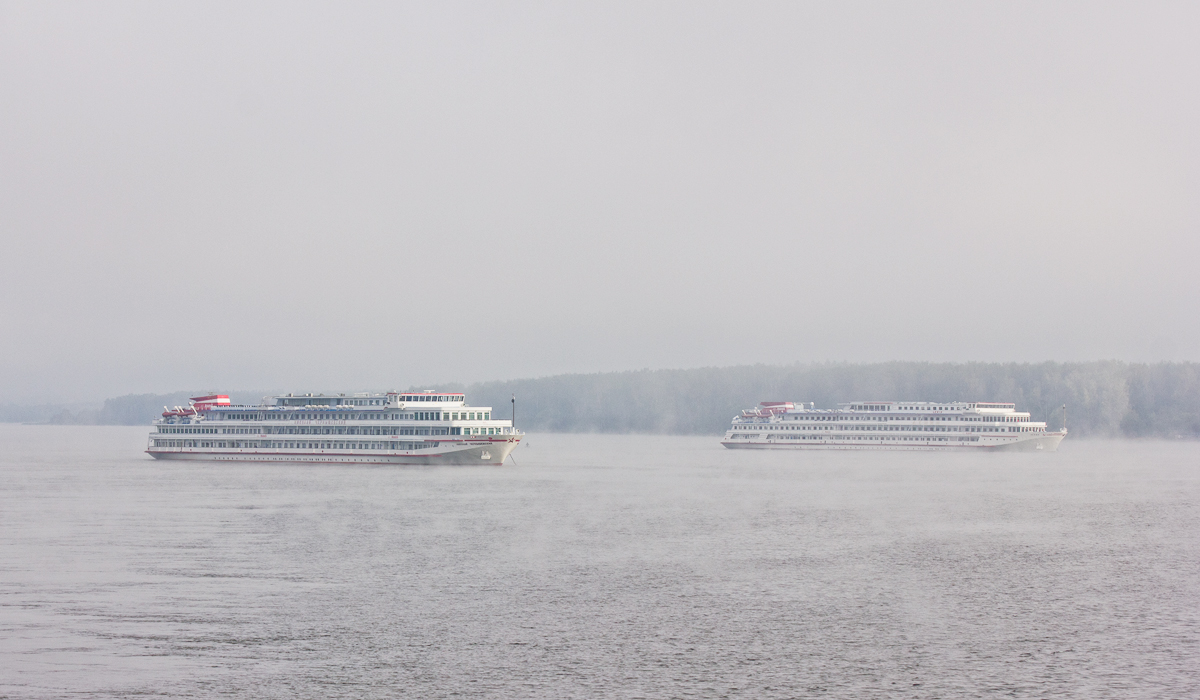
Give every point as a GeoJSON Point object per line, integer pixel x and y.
{"type": "Point", "coordinates": [428, 428]}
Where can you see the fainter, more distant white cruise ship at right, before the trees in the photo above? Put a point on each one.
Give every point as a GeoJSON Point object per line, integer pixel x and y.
{"type": "Point", "coordinates": [891, 426]}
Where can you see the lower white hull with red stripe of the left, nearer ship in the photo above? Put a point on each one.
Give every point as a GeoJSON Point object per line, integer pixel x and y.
{"type": "Point", "coordinates": [476, 452]}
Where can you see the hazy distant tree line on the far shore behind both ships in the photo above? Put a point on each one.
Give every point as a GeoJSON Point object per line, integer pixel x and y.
{"type": "Point", "coordinates": [1107, 399]}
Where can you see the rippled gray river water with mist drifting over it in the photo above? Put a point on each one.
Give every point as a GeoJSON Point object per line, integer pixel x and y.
{"type": "Point", "coordinates": [601, 567]}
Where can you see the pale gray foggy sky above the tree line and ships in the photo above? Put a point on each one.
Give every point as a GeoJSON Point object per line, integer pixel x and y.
{"type": "Point", "coordinates": [369, 196]}
